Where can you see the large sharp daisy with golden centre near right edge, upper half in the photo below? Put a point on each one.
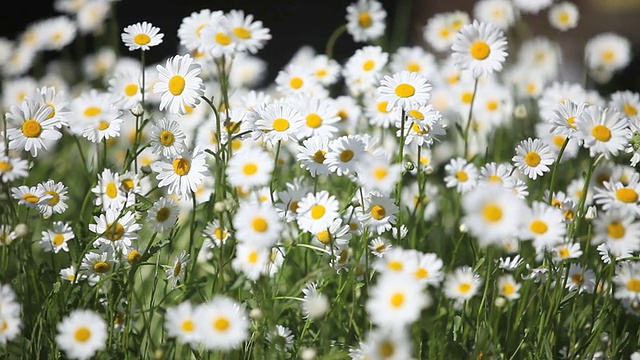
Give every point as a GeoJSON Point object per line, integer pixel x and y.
{"type": "Point", "coordinates": [603, 131]}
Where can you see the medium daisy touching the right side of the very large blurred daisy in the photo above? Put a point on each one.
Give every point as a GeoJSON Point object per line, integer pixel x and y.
{"type": "Point", "coordinates": [544, 225]}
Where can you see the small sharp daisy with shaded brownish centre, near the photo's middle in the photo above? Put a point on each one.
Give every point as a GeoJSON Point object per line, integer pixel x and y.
{"type": "Point", "coordinates": [378, 212]}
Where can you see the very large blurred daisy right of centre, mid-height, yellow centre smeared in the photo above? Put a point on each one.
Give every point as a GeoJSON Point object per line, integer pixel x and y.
{"type": "Point", "coordinates": [492, 213]}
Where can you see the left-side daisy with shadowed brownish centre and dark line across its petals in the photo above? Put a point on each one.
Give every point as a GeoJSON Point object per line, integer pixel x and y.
{"type": "Point", "coordinates": [115, 231]}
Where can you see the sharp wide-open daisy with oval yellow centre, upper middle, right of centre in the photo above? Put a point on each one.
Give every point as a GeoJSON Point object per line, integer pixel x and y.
{"type": "Point", "coordinates": [405, 89]}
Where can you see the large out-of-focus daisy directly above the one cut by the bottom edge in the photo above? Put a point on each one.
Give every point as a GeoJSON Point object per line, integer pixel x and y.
{"type": "Point", "coordinates": [396, 301]}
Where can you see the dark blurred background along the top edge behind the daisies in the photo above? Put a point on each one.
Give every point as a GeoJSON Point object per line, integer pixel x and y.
{"type": "Point", "coordinates": [295, 23]}
